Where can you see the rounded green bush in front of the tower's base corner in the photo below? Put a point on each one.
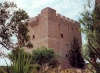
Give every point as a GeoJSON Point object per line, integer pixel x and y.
{"type": "Point", "coordinates": [44, 56]}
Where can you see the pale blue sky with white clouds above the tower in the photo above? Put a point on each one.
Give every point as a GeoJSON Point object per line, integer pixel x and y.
{"type": "Point", "coordinates": [68, 8]}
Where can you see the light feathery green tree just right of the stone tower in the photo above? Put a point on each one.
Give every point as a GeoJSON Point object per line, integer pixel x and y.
{"type": "Point", "coordinates": [87, 22]}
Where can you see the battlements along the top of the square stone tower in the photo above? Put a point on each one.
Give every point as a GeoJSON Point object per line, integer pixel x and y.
{"type": "Point", "coordinates": [51, 14]}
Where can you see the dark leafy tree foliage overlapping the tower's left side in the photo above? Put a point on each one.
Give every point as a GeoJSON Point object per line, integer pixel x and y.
{"type": "Point", "coordinates": [20, 17]}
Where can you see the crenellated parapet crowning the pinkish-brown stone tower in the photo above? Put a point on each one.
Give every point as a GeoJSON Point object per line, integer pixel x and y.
{"type": "Point", "coordinates": [50, 14]}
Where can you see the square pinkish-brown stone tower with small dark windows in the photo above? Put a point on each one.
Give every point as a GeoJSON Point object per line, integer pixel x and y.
{"type": "Point", "coordinates": [54, 31]}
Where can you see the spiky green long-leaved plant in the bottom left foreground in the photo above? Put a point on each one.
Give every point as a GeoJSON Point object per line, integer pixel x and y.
{"type": "Point", "coordinates": [21, 65]}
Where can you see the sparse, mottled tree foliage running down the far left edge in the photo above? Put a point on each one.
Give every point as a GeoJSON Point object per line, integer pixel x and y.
{"type": "Point", "coordinates": [6, 30]}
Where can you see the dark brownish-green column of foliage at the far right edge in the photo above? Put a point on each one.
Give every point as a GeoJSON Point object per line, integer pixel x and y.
{"type": "Point", "coordinates": [96, 16]}
